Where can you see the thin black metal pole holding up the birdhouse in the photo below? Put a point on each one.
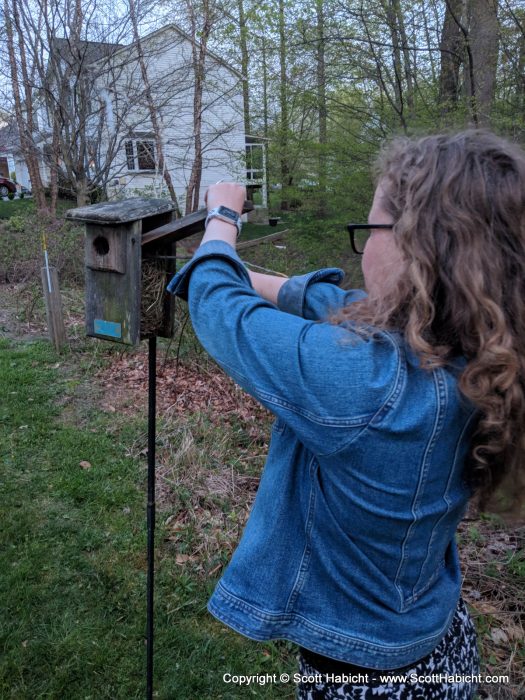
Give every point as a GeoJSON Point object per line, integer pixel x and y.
{"type": "Point", "coordinates": [152, 390]}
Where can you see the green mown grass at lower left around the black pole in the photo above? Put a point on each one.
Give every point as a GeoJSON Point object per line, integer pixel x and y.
{"type": "Point", "coordinates": [72, 558]}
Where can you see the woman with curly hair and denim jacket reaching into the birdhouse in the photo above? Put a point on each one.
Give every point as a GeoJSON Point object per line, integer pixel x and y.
{"type": "Point", "coordinates": [393, 407]}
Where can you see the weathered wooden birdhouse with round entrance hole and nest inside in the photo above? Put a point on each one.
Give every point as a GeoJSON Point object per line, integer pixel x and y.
{"type": "Point", "coordinates": [126, 298]}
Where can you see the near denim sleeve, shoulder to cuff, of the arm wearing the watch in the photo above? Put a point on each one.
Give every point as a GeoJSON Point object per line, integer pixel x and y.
{"type": "Point", "coordinates": [322, 380]}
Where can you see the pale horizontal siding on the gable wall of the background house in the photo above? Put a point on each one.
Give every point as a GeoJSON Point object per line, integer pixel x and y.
{"type": "Point", "coordinates": [170, 68]}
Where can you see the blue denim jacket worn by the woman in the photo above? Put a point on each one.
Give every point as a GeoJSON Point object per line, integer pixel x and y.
{"type": "Point", "coordinates": [349, 549]}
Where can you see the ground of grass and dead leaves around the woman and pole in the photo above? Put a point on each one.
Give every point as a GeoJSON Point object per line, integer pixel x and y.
{"type": "Point", "coordinates": [73, 505]}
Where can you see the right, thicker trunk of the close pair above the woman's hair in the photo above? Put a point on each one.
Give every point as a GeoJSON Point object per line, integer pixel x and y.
{"type": "Point", "coordinates": [484, 44]}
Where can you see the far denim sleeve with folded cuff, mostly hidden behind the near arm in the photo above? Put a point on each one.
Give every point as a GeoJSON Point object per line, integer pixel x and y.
{"type": "Point", "coordinates": [316, 295]}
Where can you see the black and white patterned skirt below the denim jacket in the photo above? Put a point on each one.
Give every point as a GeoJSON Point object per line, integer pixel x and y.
{"type": "Point", "coordinates": [427, 679]}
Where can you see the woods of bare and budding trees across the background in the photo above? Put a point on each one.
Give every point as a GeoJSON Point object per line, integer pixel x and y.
{"type": "Point", "coordinates": [325, 83]}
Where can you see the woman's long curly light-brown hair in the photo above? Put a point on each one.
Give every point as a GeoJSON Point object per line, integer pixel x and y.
{"type": "Point", "coordinates": [458, 206]}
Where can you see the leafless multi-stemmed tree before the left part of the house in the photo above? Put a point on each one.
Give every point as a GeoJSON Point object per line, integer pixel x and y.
{"type": "Point", "coordinates": [65, 57]}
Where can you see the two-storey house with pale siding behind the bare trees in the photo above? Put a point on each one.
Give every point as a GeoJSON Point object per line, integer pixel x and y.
{"type": "Point", "coordinates": [121, 141]}
